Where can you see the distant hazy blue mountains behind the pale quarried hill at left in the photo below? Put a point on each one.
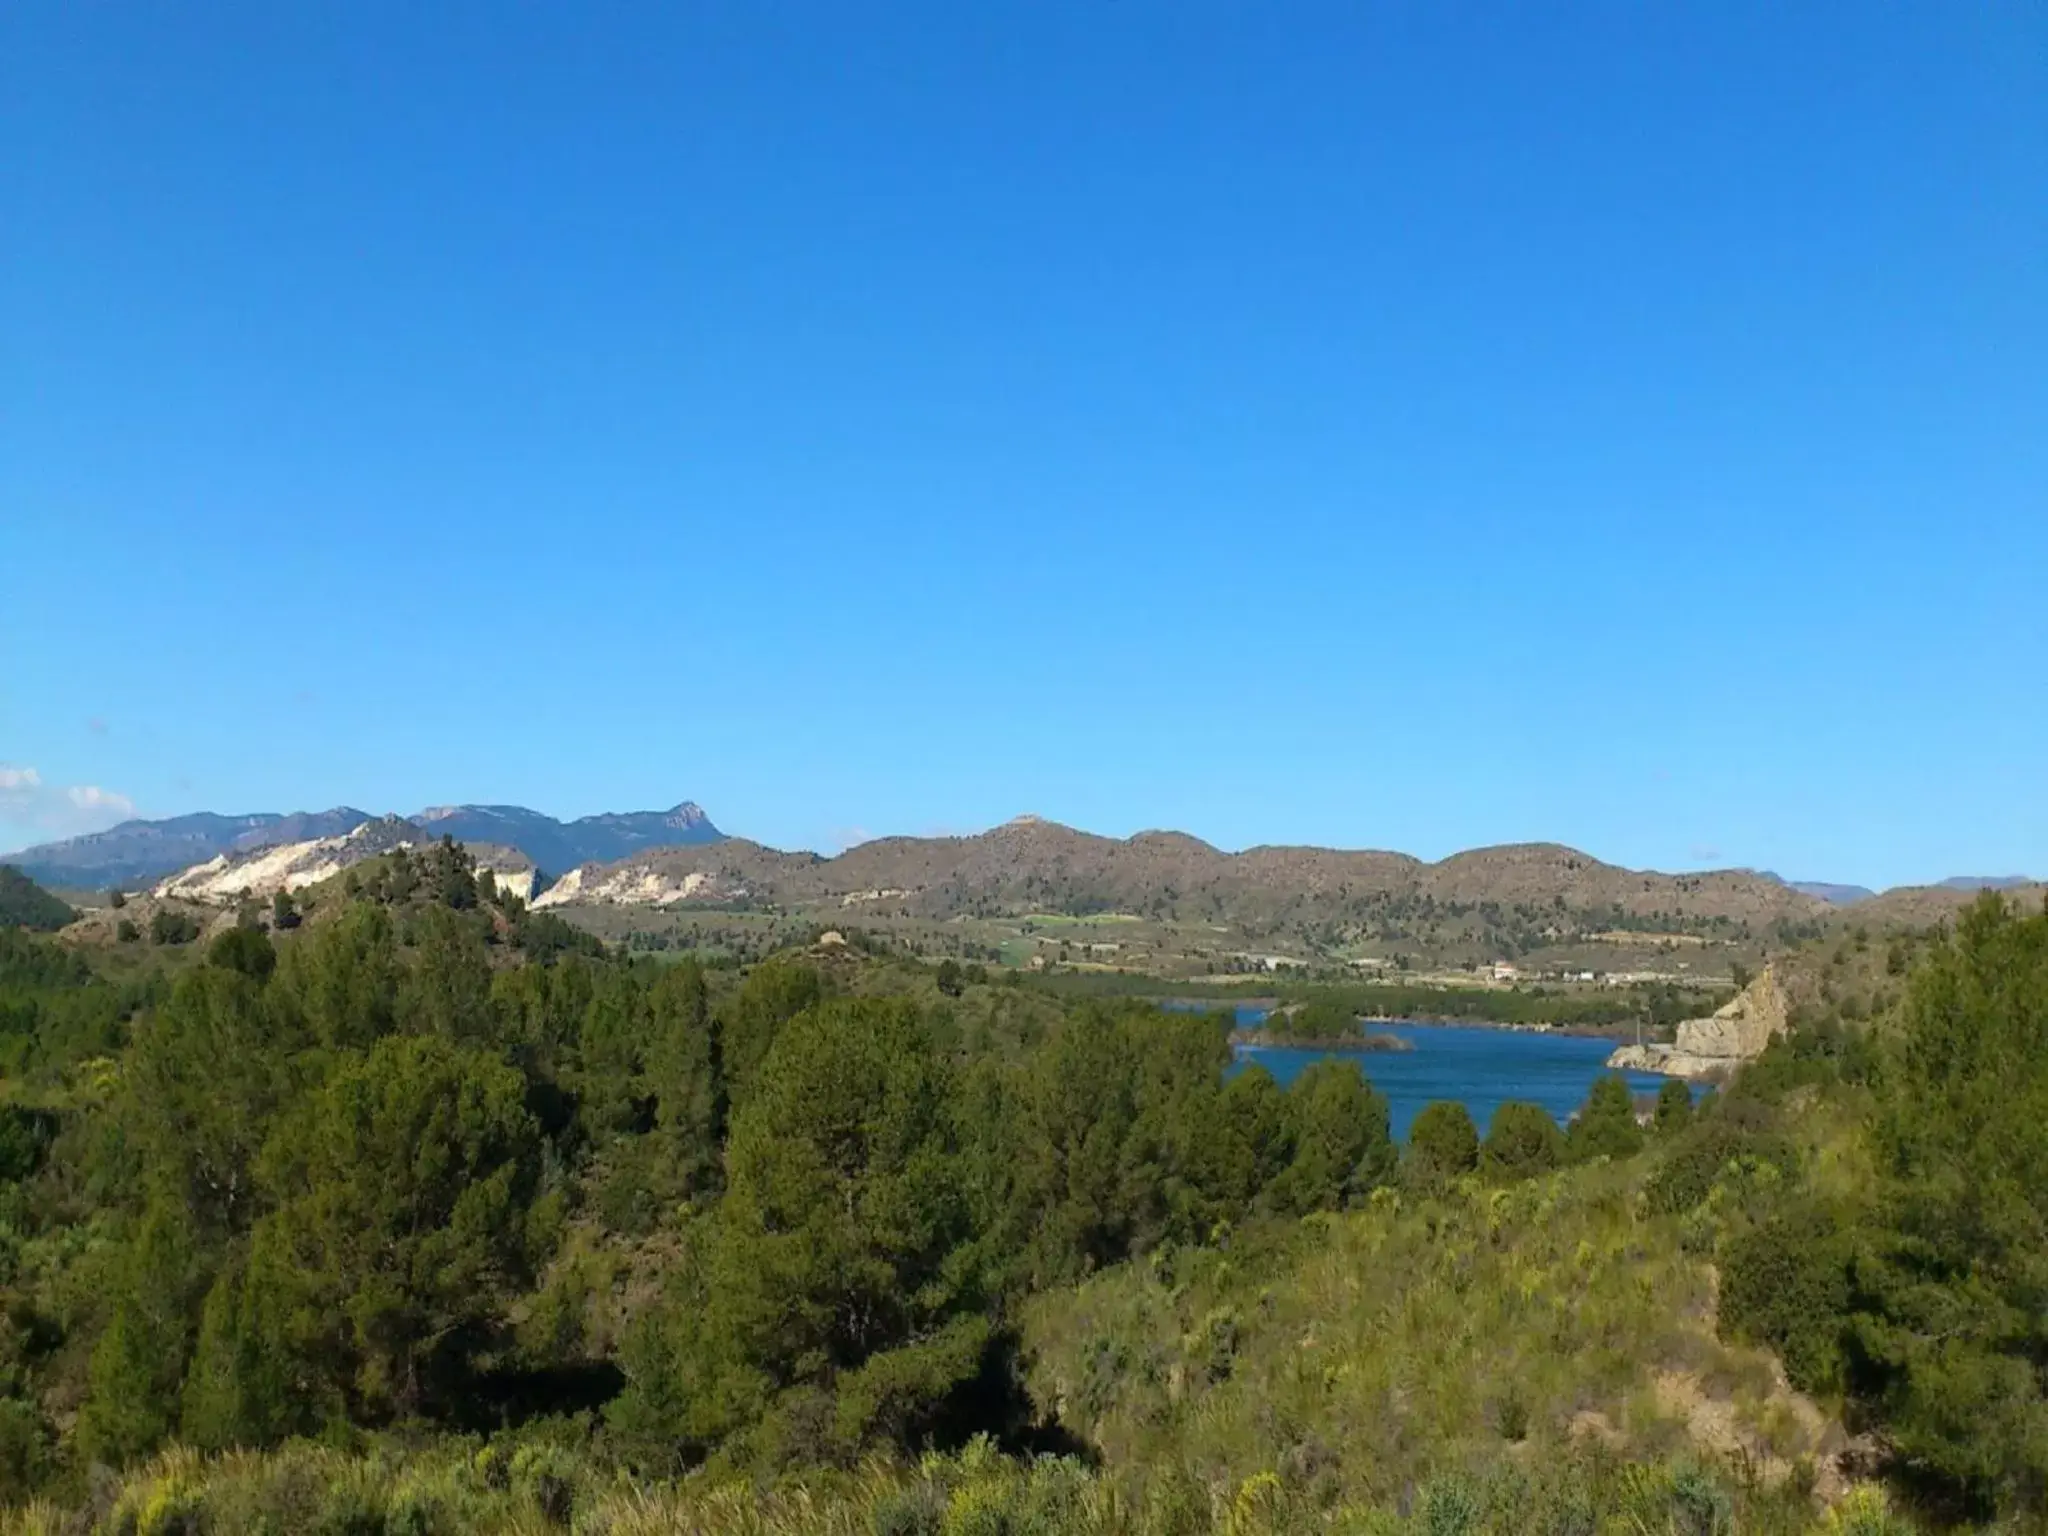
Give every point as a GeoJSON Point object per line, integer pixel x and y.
{"type": "Point", "coordinates": [142, 853]}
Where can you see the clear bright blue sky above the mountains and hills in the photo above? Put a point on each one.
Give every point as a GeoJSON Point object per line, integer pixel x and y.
{"type": "Point", "coordinates": [1373, 425]}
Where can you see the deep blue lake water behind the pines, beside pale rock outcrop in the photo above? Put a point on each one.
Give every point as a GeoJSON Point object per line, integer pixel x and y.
{"type": "Point", "coordinates": [1478, 1066]}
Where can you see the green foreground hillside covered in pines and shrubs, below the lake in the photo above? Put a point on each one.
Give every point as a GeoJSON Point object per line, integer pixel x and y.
{"type": "Point", "coordinates": [409, 1209]}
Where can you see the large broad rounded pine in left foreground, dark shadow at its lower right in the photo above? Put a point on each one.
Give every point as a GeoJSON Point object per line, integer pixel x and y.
{"type": "Point", "coordinates": [402, 1218]}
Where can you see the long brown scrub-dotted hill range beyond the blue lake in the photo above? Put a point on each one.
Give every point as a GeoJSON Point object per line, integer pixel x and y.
{"type": "Point", "coordinates": [1189, 908]}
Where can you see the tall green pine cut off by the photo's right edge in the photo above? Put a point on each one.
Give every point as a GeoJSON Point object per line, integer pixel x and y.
{"type": "Point", "coordinates": [1953, 1285]}
